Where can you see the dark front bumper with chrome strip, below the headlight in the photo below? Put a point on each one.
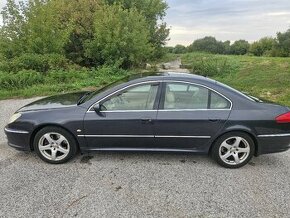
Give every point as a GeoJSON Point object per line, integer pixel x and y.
{"type": "Point", "coordinates": [18, 139]}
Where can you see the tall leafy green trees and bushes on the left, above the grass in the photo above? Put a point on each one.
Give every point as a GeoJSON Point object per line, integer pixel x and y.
{"type": "Point", "coordinates": [54, 33]}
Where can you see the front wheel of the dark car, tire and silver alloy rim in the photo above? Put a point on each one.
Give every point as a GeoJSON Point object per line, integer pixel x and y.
{"type": "Point", "coordinates": [54, 145]}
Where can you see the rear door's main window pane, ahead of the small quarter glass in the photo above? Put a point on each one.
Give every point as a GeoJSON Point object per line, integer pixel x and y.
{"type": "Point", "coordinates": [185, 96]}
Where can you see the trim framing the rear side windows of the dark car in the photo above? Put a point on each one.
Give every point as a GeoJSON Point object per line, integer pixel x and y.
{"type": "Point", "coordinates": [196, 84]}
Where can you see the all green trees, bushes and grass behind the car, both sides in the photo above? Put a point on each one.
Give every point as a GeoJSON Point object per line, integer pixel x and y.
{"type": "Point", "coordinates": [54, 46]}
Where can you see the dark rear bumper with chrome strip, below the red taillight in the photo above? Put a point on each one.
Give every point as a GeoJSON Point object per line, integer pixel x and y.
{"type": "Point", "coordinates": [273, 143]}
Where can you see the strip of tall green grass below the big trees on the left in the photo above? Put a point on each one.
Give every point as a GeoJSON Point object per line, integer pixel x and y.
{"type": "Point", "coordinates": [29, 83]}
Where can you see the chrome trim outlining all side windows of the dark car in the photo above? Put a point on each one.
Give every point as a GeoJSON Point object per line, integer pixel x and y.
{"type": "Point", "coordinates": [160, 98]}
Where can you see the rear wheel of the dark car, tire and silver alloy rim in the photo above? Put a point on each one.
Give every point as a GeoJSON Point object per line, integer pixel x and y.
{"type": "Point", "coordinates": [233, 149]}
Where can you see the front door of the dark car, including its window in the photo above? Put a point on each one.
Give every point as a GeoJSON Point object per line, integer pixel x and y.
{"type": "Point", "coordinates": [126, 119]}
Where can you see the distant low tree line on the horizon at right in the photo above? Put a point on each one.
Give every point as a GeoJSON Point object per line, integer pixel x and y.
{"type": "Point", "coordinates": [266, 46]}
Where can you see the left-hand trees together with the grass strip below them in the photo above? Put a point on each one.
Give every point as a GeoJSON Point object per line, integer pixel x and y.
{"type": "Point", "coordinates": [54, 46]}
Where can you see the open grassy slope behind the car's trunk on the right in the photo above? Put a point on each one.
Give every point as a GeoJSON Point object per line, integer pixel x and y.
{"type": "Point", "coordinates": [264, 77]}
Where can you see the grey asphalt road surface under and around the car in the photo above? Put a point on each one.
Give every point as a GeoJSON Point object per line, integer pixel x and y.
{"type": "Point", "coordinates": [112, 184]}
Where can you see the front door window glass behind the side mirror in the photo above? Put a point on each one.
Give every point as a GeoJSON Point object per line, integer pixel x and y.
{"type": "Point", "coordinates": [140, 97]}
